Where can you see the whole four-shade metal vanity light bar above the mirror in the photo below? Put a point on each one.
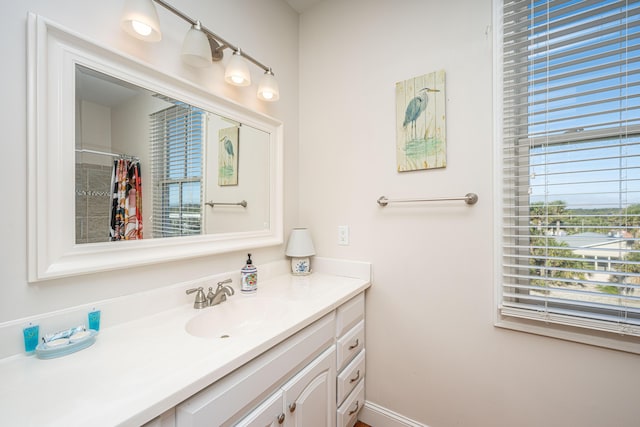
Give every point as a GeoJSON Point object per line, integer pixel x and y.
{"type": "Point", "coordinates": [140, 19]}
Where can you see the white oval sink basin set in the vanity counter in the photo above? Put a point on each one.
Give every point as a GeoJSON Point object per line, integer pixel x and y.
{"type": "Point", "coordinates": [239, 315]}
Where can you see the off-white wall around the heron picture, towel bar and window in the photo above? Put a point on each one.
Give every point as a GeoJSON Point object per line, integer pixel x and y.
{"type": "Point", "coordinates": [433, 353]}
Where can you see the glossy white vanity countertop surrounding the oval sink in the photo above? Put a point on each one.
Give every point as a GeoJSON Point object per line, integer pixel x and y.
{"type": "Point", "coordinates": [139, 369]}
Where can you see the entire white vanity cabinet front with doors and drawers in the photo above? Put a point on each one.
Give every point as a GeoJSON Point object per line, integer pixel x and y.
{"type": "Point", "coordinates": [313, 378]}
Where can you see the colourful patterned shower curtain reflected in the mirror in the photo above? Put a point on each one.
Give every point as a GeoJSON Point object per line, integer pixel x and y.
{"type": "Point", "coordinates": [126, 203]}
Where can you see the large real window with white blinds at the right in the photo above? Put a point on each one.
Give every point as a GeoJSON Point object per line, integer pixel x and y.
{"type": "Point", "coordinates": [570, 136]}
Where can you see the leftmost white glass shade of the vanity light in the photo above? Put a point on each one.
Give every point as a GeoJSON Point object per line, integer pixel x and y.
{"type": "Point", "coordinates": [140, 19]}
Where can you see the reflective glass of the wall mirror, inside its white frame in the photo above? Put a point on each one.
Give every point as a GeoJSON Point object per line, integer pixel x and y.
{"type": "Point", "coordinates": [150, 166]}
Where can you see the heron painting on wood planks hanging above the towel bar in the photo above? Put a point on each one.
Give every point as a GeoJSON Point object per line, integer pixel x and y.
{"type": "Point", "coordinates": [420, 123]}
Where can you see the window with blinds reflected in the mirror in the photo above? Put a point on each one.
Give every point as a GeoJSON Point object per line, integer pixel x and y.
{"type": "Point", "coordinates": [177, 135]}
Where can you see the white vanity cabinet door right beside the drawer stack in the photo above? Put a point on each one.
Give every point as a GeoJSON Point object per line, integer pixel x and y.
{"type": "Point", "coordinates": [310, 396]}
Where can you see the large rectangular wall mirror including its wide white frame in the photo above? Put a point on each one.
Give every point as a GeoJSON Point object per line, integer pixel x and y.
{"type": "Point", "coordinates": [79, 130]}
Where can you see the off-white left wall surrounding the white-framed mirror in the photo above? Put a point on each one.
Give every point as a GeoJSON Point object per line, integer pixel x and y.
{"type": "Point", "coordinates": [267, 29]}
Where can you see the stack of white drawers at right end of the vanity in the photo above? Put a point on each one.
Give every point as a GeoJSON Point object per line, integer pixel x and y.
{"type": "Point", "coordinates": [350, 360]}
